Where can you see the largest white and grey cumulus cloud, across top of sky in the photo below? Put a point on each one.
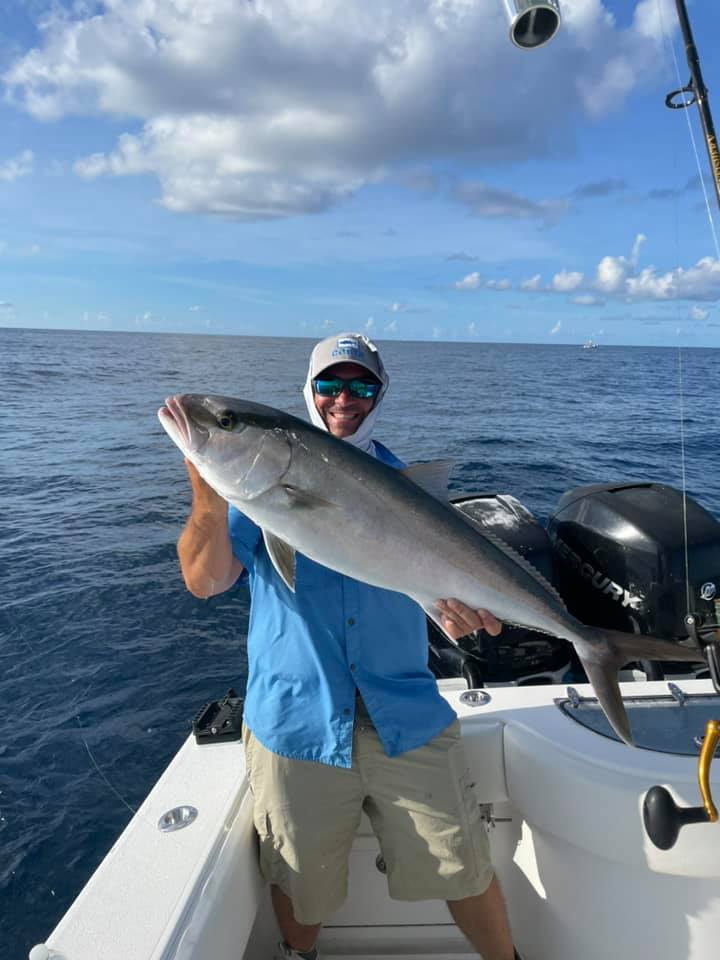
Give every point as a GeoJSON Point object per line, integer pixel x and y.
{"type": "Point", "coordinates": [272, 108]}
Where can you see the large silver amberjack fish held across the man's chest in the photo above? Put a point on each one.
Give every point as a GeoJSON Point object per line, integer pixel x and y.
{"type": "Point", "coordinates": [313, 493]}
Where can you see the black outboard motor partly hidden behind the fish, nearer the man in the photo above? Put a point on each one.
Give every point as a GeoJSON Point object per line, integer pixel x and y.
{"type": "Point", "coordinates": [518, 655]}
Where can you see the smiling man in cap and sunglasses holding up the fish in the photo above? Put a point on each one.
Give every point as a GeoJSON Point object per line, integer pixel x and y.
{"type": "Point", "coordinates": [342, 713]}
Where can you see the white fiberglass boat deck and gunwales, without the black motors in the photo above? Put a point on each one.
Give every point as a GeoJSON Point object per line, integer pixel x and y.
{"type": "Point", "coordinates": [563, 806]}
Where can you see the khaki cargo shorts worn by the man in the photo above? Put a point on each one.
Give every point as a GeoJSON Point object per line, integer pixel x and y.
{"type": "Point", "coordinates": [421, 805]}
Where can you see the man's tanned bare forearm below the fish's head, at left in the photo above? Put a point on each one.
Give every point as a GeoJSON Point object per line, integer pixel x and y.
{"type": "Point", "coordinates": [205, 554]}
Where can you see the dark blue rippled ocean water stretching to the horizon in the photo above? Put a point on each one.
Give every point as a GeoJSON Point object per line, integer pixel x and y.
{"type": "Point", "coordinates": [105, 658]}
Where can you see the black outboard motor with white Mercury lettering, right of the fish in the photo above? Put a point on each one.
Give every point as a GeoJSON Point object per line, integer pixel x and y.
{"type": "Point", "coordinates": [620, 553]}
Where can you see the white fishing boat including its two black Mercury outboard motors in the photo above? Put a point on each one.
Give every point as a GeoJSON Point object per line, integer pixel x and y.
{"type": "Point", "coordinates": [561, 797]}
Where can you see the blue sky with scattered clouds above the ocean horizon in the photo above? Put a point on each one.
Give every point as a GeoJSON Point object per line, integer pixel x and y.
{"type": "Point", "coordinates": [299, 167]}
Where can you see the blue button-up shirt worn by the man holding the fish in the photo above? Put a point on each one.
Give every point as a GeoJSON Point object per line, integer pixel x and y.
{"type": "Point", "coordinates": [311, 650]}
